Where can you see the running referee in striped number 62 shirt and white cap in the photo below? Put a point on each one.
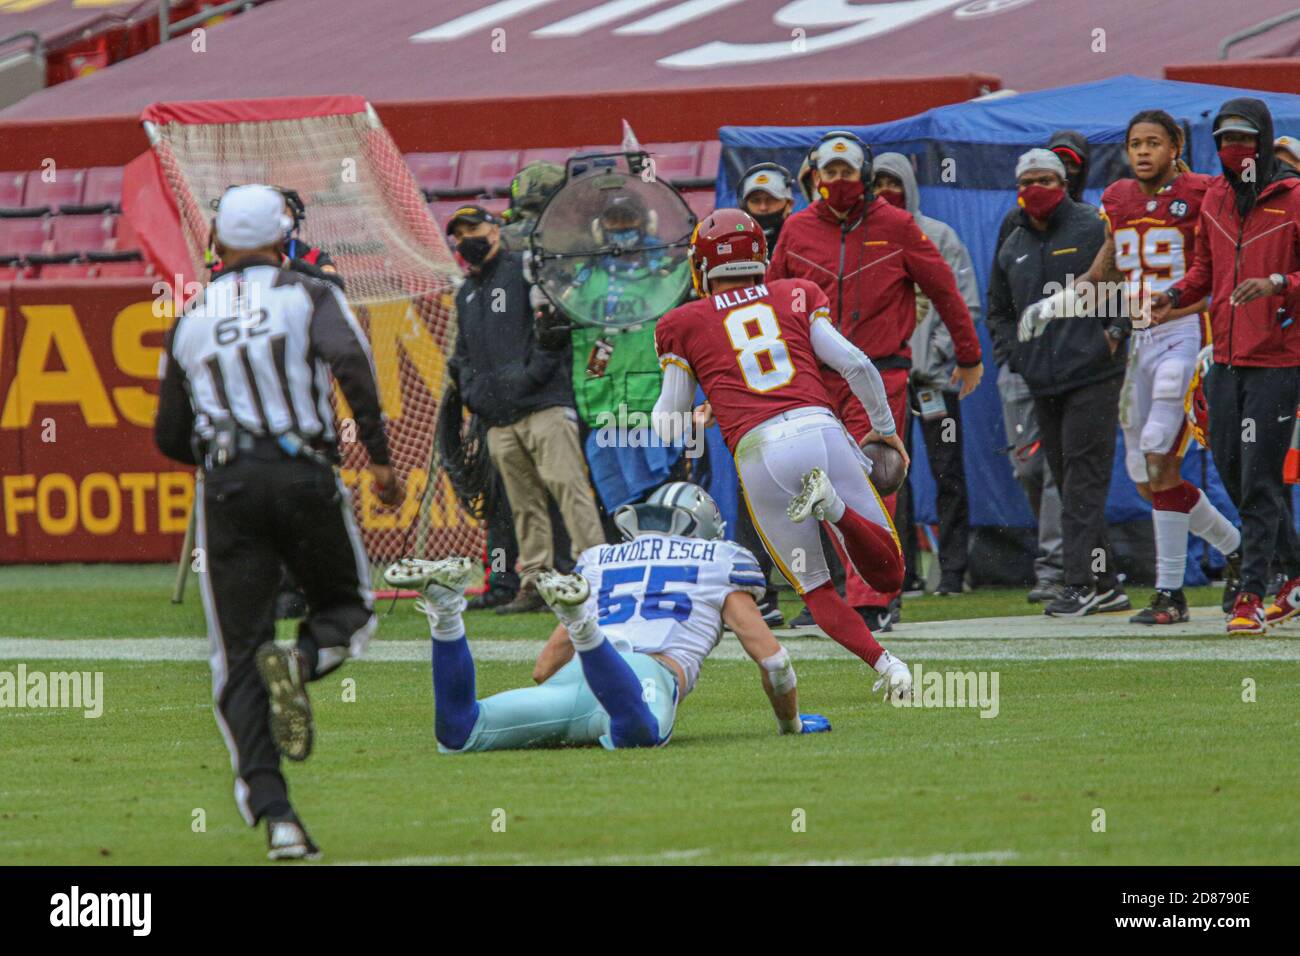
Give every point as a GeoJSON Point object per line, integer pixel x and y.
{"type": "Point", "coordinates": [246, 395]}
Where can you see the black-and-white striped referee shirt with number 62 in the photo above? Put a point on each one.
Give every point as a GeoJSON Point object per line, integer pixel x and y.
{"type": "Point", "coordinates": [259, 347]}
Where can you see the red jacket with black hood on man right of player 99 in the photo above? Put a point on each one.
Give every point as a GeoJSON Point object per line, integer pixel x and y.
{"type": "Point", "coordinates": [1232, 248]}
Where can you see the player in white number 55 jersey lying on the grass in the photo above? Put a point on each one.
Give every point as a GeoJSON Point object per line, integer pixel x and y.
{"type": "Point", "coordinates": [636, 622]}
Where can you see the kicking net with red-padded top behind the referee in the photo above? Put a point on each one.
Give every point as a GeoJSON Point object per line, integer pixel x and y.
{"type": "Point", "coordinates": [367, 213]}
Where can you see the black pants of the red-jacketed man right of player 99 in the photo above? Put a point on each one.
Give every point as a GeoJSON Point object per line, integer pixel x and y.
{"type": "Point", "coordinates": [1253, 412]}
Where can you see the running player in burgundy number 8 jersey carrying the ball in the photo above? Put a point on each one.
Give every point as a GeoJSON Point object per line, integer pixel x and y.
{"type": "Point", "coordinates": [757, 351]}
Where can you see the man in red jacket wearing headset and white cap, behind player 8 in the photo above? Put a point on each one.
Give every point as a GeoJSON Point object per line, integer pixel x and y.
{"type": "Point", "coordinates": [869, 257]}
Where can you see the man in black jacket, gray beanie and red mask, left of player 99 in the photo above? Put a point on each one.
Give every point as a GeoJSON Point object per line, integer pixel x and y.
{"type": "Point", "coordinates": [1074, 371]}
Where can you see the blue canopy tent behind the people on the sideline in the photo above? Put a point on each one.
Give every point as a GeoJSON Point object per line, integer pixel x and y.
{"type": "Point", "coordinates": [965, 155]}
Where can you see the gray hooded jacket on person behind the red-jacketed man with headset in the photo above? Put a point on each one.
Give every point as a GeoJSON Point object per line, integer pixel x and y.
{"type": "Point", "coordinates": [933, 357]}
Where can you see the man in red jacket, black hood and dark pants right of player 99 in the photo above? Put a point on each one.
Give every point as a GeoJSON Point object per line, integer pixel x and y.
{"type": "Point", "coordinates": [1249, 262]}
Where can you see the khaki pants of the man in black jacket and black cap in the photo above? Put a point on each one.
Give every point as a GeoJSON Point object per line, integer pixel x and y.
{"type": "Point", "coordinates": [536, 456]}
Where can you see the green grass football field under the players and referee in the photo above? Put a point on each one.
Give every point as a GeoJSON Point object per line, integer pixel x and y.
{"type": "Point", "coordinates": [1185, 771]}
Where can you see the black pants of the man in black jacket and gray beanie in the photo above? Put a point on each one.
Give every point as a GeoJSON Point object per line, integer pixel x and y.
{"type": "Point", "coordinates": [1080, 444]}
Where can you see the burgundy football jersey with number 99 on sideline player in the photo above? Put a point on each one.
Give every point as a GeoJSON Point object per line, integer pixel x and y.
{"type": "Point", "coordinates": [1155, 236]}
